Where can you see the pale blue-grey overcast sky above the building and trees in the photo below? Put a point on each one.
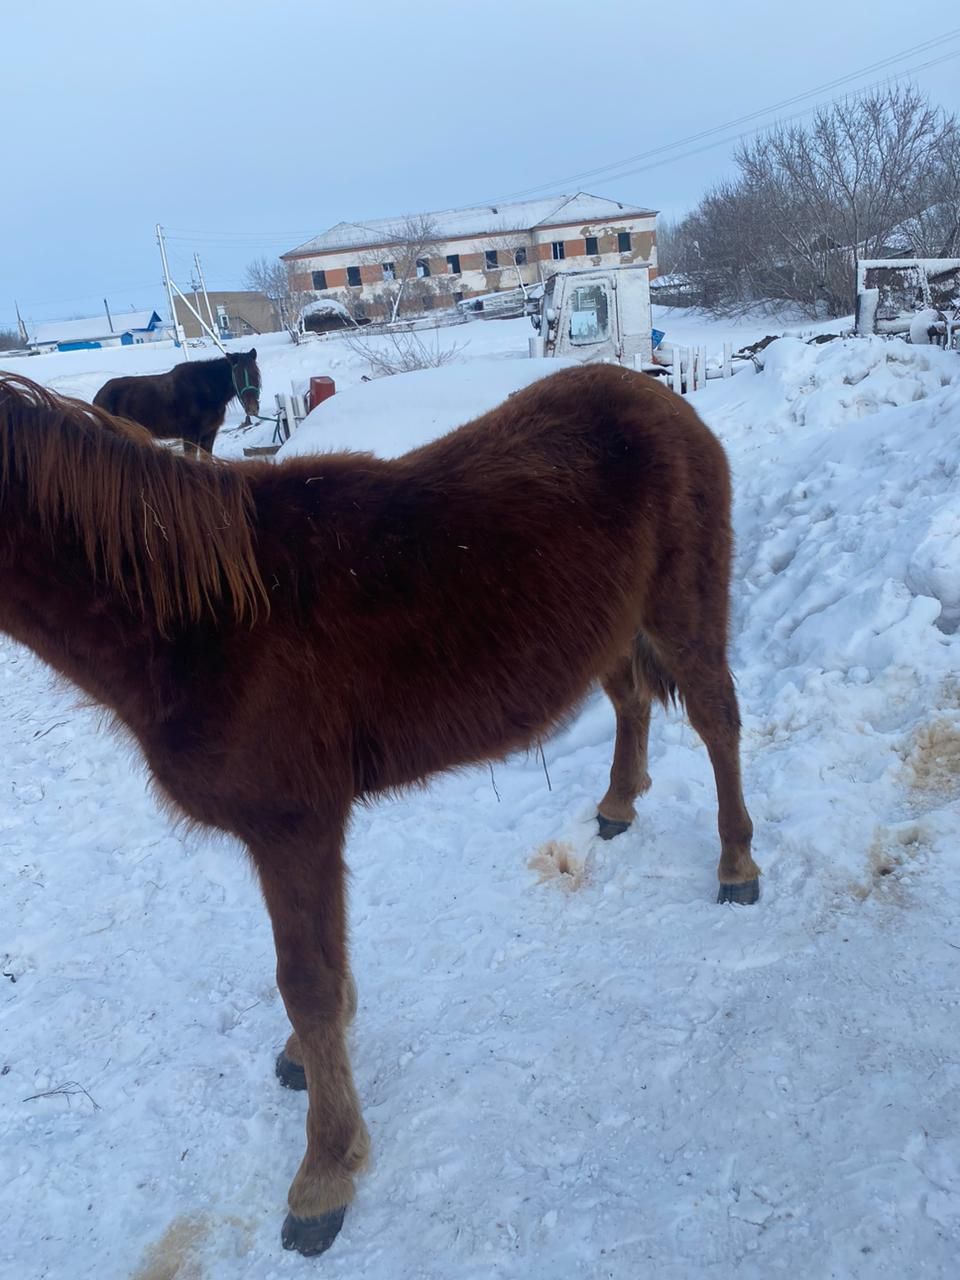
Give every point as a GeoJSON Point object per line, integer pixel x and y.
{"type": "Point", "coordinates": [248, 127]}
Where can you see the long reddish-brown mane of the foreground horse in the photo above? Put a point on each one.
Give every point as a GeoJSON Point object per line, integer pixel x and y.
{"type": "Point", "coordinates": [172, 534]}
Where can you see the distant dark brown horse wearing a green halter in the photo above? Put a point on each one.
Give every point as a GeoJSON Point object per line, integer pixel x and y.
{"type": "Point", "coordinates": [190, 403]}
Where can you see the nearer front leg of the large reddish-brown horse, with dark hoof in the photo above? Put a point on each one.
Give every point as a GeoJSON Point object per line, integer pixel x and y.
{"type": "Point", "coordinates": [304, 890]}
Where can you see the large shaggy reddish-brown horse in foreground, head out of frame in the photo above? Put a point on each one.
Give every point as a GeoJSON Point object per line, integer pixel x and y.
{"type": "Point", "coordinates": [286, 641]}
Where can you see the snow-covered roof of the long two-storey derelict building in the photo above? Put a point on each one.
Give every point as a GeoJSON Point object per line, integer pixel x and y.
{"type": "Point", "coordinates": [478, 221]}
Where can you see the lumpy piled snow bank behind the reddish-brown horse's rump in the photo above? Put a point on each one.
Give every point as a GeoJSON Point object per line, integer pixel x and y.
{"type": "Point", "coordinates": [848, 509]}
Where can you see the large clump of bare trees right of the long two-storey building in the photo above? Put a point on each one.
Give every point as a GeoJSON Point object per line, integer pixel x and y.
{"type": "Point", "coordinates": [867, 177]}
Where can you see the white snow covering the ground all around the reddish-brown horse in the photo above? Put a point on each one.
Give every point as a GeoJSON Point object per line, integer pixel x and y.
{"type": "Point", "coordinates": [598, 1075]}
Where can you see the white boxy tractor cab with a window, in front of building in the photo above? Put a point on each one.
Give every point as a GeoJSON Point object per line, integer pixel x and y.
{"type": "Point", "coordinates": [597, 314]}
